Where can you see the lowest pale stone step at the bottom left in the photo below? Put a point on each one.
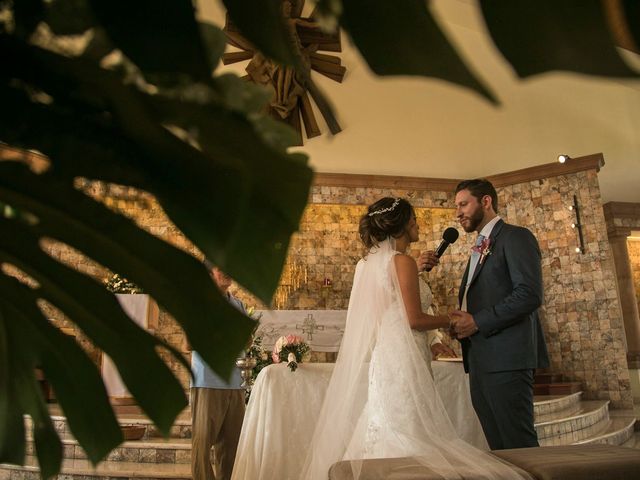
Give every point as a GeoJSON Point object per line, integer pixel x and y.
{"type": "Point", "coordinates": [84, 470]}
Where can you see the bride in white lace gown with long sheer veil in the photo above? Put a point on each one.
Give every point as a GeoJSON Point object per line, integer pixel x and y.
{"type": "Point", "coordinates": [381, 401]}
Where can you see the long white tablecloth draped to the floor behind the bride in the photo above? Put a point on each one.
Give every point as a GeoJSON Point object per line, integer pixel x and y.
{"type": "Point", "coordinates": [284, 406]}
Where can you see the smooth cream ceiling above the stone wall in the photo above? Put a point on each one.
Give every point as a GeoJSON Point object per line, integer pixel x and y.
{"type": "Point", "coordinates": [428, 128]}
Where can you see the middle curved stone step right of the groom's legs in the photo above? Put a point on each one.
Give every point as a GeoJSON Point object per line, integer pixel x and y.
{"type": "Point", "coordinates": [588, 414]}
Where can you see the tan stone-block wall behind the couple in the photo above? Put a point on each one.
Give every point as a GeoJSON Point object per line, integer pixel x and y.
{"type": "Point", "coordinates": [581, 315]}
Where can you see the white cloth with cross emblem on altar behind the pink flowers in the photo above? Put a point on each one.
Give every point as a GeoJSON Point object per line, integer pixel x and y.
{"type": "Point", "coordinates": [323, 333]}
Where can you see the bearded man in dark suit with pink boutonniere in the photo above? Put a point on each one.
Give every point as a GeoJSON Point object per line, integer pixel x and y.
{"type": "Point", "coordinates": [497, 324]}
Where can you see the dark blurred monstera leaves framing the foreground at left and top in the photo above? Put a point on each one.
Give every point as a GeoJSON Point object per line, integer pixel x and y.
{"type": "Point", "coordinates": [125, 93]}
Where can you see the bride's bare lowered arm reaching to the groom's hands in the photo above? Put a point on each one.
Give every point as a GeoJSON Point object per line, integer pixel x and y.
{"type": "Point", "coordinates": [407, 272]}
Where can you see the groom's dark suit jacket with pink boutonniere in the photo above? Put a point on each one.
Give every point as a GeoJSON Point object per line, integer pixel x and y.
{"type": "Point", "coordinates": [503, 297]}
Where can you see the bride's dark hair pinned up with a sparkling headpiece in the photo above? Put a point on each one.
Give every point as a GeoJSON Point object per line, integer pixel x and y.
{"type": "Point", "coordinates": [388, 217]}
